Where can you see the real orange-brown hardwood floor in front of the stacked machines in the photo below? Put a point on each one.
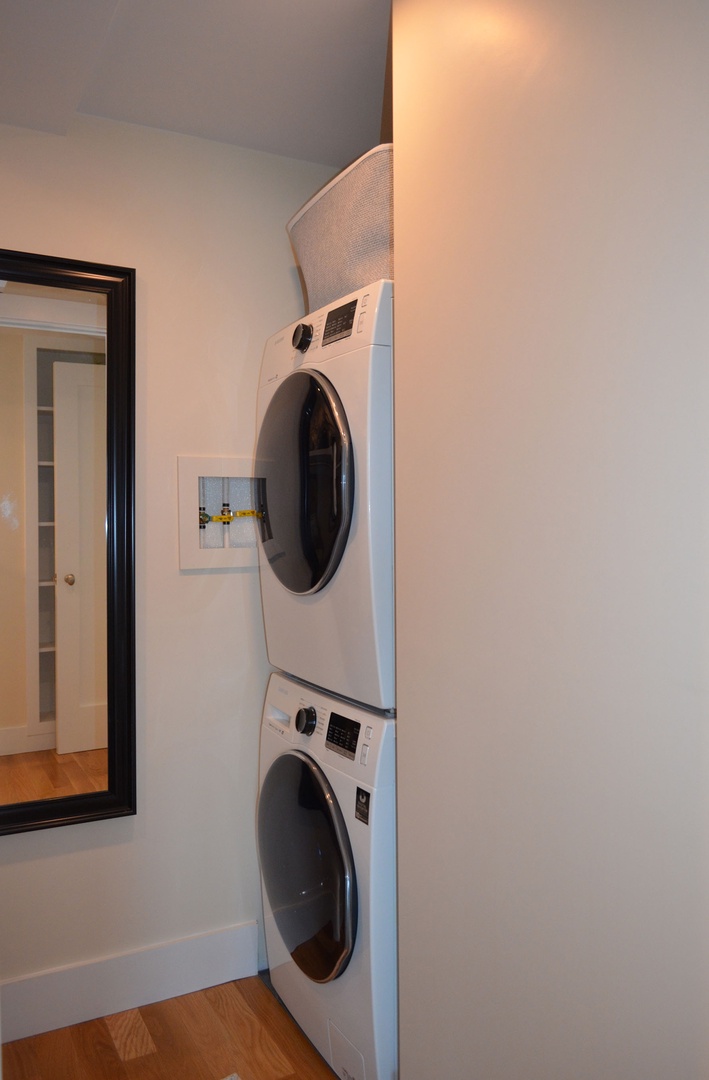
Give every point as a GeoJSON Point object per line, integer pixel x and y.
{"type": "Point", "coordinates": [236, 1029]}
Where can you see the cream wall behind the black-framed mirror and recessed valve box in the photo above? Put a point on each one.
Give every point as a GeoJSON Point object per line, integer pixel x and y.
{"type": "Point", "coordinates": [204, 224]}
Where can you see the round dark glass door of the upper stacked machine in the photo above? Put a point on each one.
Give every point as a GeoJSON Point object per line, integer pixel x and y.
{"type": "Point", "coordinates": [306, 472]}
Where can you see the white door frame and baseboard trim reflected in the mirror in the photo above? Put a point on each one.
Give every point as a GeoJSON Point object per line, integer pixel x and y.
{"type": "Point", "coordinates": [36, 734]}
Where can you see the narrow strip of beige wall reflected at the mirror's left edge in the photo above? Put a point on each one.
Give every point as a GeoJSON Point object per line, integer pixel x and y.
{"type": "Point", "coordinates": [12, 531]}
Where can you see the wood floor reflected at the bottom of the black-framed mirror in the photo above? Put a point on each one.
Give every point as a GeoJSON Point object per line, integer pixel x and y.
{"type": "Point", "coordinates": [46, 775]}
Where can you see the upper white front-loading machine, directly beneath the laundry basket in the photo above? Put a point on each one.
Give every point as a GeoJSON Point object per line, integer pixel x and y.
{"type": "Point", "coordinates": [325, 465]}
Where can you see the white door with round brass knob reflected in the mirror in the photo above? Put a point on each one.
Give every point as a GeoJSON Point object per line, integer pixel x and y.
{"type": "Point", "coordinates": [81, 555]}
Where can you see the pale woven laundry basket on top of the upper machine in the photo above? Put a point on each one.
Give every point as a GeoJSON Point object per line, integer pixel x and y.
{"type": "Point", "coordinates": [343, 238]}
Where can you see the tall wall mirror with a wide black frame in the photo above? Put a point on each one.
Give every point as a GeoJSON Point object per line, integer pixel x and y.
{"type": "Point", "coordinates": [105, 298]}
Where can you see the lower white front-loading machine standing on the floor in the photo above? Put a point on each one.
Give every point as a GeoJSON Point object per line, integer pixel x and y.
{"type": "Point", "coordinates": [327, 846]}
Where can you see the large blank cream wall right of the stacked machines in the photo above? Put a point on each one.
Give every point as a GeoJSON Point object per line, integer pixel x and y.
{"type": "Point", "coordinates": [553, 497]}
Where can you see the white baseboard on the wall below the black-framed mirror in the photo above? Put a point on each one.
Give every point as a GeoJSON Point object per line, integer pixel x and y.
{"type": "Point", "coordinates": [51, 1000]}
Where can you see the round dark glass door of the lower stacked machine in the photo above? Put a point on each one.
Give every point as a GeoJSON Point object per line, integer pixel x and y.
{"type": "Point", "coordinates": [307, 867]}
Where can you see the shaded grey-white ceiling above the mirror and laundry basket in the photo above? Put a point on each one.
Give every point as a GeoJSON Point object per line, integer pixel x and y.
{"type": "Point", "coordinates": [300, 78]}
